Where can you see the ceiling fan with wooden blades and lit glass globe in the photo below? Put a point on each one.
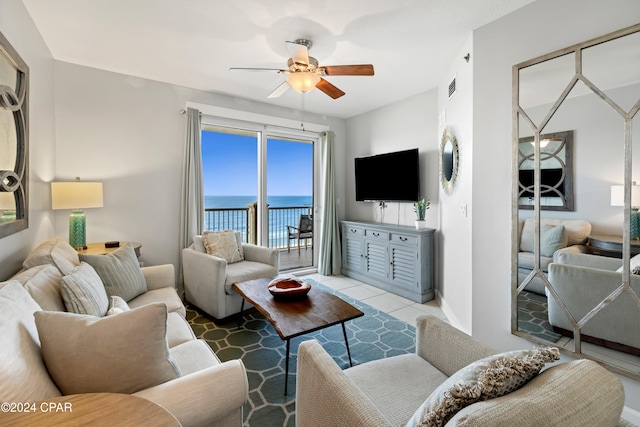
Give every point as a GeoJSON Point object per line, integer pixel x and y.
{"type": "Point", "coordinates": [304, 73]}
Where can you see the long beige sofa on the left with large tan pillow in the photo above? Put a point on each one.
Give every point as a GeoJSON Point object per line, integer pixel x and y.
{"type": "Point", "coordinates": [199, 391]}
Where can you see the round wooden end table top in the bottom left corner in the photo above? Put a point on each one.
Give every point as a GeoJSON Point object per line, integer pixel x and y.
{"type": "Point", "coordinates": [94, 409]}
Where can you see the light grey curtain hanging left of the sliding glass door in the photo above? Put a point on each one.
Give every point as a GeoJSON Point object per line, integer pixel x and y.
{"type": "Point", "coordinates": [192, 195]}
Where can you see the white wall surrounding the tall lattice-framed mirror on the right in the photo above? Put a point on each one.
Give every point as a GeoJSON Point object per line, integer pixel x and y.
{"type": "Point", "coordinates": [497, 47]}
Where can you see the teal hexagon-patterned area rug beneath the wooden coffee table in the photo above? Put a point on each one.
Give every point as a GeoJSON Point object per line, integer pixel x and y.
{"type": "Point", "coordinates": [375, 335]}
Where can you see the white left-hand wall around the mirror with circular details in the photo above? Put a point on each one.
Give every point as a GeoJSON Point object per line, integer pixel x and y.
{"type": "Point", "coordinates": [18, 28]}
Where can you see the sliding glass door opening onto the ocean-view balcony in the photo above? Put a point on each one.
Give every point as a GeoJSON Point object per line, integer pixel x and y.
{"type": "Point", "coordinates": [261, 183]}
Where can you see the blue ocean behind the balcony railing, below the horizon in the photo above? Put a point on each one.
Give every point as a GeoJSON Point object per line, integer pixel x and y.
{"type": "Point", "coordinates": [283, 211]}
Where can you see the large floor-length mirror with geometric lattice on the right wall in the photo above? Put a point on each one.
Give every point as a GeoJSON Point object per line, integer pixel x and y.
{"type": "Point", "coordinates": [567, 290]}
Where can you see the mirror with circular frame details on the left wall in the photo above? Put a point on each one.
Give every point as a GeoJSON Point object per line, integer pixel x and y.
{"type": "Point", "coordinates": [14, 158]}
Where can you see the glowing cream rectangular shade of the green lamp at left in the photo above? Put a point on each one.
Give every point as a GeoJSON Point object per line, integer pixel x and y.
{"type": "Point", "coordinates": [76, 195]}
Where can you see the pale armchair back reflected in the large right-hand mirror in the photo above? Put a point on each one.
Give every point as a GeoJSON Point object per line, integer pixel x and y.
{"type": "Point", "coordinates": [582, 281]}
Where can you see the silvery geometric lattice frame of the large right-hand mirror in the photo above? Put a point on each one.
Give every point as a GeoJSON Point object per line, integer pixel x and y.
{"type": "Point", "coordinates": [518, 113]}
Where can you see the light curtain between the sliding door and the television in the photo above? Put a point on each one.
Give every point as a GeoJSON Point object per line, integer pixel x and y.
{"type": "Point", "coordinates": [329, 262]}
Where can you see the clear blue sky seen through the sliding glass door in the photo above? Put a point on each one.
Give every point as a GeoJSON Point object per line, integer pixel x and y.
{"type": "Point", "coordinates": [230, 166]}
